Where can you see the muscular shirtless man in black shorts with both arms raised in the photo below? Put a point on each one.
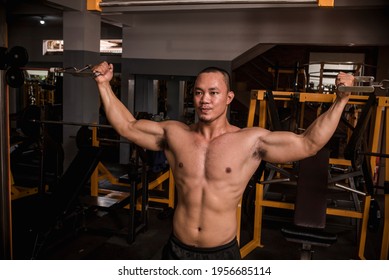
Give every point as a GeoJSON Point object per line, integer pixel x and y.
{"type": "Point", "coordinates": [212, 160]}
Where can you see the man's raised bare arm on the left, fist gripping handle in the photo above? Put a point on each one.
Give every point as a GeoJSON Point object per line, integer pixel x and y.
{"type": "Point", "coordinates": [145, 133]}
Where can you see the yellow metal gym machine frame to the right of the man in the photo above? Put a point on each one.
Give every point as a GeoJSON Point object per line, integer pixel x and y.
{"type": "Point", "coordinates": [260, 202]}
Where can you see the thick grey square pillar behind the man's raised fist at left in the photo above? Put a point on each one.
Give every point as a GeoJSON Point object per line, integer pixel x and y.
{"type": "Point", "coordinates": [80, 98]}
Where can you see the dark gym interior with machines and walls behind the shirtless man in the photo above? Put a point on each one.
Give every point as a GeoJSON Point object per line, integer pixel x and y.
{"type": "Point", "coordinates": [73, 189]}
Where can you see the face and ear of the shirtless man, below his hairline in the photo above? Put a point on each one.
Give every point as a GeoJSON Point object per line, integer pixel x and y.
{"type": "Point", "coordinates": [211, 96]}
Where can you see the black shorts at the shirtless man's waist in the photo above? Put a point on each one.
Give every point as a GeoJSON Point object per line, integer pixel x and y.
{"type": "Point", "coordinates": [176, 250]}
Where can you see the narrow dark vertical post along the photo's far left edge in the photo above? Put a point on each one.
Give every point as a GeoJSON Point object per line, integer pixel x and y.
{"type": "Point", "coordinates": [5, 198]}
